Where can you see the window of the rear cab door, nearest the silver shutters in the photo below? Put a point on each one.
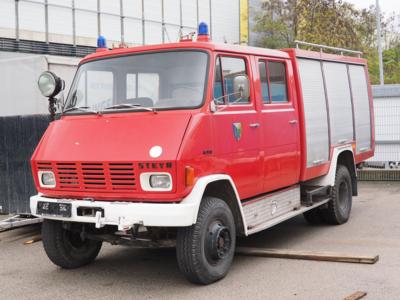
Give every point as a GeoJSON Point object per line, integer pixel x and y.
{"type": "Point", "coordinates": [273, 81]}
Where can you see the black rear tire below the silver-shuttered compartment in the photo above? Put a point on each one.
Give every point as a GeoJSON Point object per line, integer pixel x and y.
{"type": "Point", "coordinates": [339, 207]}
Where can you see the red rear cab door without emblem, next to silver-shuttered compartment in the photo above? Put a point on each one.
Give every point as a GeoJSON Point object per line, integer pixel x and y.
{"type": "Point", "coordinates": [279, 123]}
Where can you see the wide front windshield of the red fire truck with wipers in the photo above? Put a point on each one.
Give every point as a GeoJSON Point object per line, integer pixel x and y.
{"type": "Point", "coordinates": [157, 80]}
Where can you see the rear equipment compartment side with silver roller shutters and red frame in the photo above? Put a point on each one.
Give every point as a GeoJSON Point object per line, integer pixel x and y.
{"type": "Point", "coordinates": [337, 86]}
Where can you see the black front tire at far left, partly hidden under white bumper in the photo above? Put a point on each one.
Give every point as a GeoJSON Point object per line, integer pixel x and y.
{"type": "Point", "coordinates": [65, 248]}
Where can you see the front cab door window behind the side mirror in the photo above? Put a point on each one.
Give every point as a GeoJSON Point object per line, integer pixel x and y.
{"type": "Point", "coordinates": [227, 68]}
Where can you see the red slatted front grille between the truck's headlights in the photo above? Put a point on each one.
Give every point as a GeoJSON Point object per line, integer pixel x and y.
{"type": "Point", "coordinates": [92, 176]}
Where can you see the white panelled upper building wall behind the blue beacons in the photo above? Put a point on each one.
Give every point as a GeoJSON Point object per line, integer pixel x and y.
{"type": "Point", "coordinates": [141, 20]}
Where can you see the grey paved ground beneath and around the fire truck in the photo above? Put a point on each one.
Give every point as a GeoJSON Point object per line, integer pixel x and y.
{"type": "Point", "coordinates": [121, 272]}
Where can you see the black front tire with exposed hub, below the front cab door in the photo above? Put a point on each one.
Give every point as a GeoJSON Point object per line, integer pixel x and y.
{"type": "Point", "coordinates": [205, 250]}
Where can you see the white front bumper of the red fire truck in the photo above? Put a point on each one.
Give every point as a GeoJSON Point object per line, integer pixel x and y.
{"type": "Point", "coordinates": [126, 214]}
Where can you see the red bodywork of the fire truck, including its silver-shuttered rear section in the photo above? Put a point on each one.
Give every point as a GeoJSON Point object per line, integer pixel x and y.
{"type": "Point", "coordinates": [302, 107]}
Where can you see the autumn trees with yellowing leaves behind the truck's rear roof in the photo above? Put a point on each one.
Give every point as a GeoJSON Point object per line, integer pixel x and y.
{"type": "Point", "coordinates": [330, 22]}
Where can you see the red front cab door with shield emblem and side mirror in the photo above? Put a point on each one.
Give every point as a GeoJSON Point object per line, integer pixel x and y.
{"type": "Point", "coordinates": [236, 126]}
